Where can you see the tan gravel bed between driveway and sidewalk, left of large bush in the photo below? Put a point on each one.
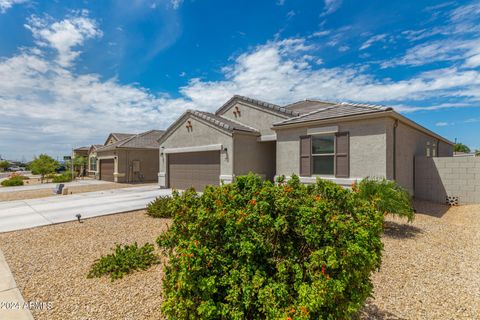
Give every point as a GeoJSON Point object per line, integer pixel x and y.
{"type": "Point", "coordinates": [50, 264]}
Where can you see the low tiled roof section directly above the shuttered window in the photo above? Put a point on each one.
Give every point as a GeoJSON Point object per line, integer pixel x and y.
{"type": "Point", "coordinates": [331, 111]}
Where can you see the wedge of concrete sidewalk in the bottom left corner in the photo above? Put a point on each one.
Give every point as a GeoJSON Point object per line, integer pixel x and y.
{"type": "Point", "coordinates": [13, 307]}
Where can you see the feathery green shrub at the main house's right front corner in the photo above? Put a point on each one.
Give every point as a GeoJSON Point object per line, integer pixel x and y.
{"type": "Point", "coordinates": [387, 196]}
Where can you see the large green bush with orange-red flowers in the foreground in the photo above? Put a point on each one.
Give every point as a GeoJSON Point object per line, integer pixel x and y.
{"type": "Point", "coordinates": [255, 250]}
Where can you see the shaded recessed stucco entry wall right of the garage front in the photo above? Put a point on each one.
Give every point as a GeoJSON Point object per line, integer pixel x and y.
{"type": "Point", "coordinates": [253, 156]}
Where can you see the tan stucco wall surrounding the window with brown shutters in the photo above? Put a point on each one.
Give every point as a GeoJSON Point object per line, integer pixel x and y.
{"type": "Point", "coordinates": [367, 148]}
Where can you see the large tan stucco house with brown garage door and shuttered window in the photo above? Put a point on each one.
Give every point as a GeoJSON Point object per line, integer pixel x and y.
{"type": "Point", "coordinates": [342, 142]}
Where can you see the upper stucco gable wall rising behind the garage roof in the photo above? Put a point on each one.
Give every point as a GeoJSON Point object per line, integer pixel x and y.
{"type": "Point", "coordinates": [252, 116]}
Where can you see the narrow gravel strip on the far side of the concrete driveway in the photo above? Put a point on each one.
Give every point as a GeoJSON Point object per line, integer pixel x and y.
{"type": "Point", "coordinates": [42, 193]}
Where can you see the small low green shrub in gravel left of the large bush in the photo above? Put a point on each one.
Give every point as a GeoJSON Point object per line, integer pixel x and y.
{"type": "Point", "coordinates": [124, 260]}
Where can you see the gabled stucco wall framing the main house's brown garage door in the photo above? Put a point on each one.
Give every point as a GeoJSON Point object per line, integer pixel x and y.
{"type": "Point", "coordinates": [202, 134]}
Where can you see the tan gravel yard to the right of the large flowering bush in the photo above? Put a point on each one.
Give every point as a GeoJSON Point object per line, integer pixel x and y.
{"type": "Point", "coordinates": [431, 268]}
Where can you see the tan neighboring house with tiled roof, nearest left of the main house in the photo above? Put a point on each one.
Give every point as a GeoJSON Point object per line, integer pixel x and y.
{"type": "Point", "coordinates": [128, 157]}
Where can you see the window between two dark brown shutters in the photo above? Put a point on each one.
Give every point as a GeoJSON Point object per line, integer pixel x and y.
{"type": "Point", "coordinates": [323, 154]}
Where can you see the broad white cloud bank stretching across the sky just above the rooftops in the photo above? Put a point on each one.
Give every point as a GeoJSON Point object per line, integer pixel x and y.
{"type": "Point", "coordinates": [58, 108]}
